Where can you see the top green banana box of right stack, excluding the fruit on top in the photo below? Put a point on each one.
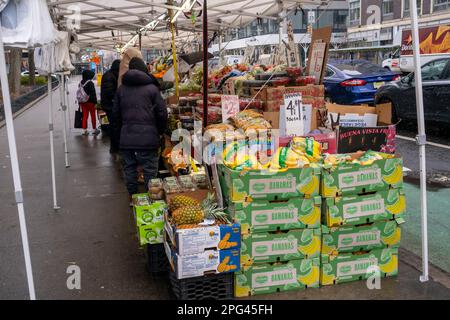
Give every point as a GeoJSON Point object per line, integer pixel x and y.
{"type": "Point", "coordinates": [354, 178]}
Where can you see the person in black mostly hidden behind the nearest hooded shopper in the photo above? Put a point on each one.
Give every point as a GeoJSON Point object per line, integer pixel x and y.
{"type": "Point", "coordinates": [108, 91]}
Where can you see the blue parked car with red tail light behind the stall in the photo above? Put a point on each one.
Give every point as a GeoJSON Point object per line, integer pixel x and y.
{"type": "Point", "coordinates": [355, 81]}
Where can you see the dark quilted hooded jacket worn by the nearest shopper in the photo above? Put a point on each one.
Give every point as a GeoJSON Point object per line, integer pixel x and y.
{"type": "Point", "coordinates": [139, 111]}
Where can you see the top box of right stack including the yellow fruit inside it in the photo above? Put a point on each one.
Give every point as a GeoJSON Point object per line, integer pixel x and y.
{"type": "Point", "coordinates": [361, 173]}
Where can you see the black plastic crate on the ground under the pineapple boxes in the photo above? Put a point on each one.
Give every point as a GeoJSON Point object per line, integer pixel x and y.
{"type": "Point", "coordinates": [209, 287]}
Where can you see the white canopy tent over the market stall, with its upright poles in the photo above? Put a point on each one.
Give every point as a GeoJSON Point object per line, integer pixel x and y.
{"type": "Point", "coordinates": [111, 24]}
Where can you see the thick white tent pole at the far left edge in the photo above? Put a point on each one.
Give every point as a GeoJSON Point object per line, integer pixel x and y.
{"type": "Point", "coordinates": [16, 170]}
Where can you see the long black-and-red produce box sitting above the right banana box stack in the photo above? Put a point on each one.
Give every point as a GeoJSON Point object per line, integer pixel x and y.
{"type": "Point", "coordinates": [362, 139]}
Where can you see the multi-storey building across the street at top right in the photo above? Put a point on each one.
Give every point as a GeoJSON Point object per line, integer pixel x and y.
{"type": "Point", "coordinates": [375, 26]}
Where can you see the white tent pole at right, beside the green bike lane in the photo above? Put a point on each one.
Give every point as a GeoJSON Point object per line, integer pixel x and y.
{"type": "Point", "coordinates": [421, 138]}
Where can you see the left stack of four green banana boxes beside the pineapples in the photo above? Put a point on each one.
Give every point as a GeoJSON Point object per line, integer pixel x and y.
{"type": "Point", "coordinates": [279, 214]}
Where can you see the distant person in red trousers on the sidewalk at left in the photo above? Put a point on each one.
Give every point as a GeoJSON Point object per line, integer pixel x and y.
{"type": "Point", "coordinates": [88, 107]}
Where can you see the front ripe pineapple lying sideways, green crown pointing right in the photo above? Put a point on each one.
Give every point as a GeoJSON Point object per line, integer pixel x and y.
{"type": "Point", "coordinates": [195, 214]}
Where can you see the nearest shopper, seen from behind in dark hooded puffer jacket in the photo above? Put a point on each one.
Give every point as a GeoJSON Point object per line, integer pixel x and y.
{"type": "Point", "coordinates": [140, 115]}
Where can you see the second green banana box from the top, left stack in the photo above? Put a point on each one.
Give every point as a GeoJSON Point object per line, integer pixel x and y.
{"type": "Point", "coordinates": [265, 216]}
